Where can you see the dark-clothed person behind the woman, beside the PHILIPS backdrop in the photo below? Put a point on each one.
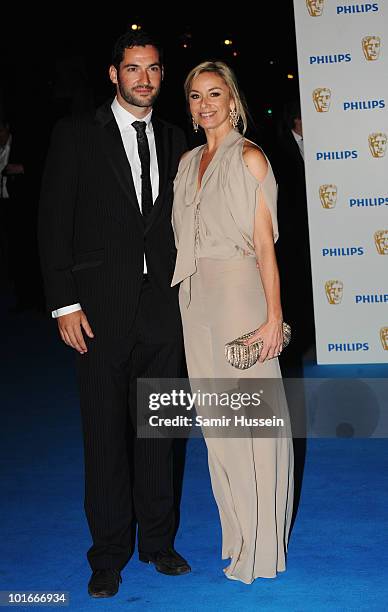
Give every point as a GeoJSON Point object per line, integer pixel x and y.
{"type": "Point", "coordinates": [293, 249]}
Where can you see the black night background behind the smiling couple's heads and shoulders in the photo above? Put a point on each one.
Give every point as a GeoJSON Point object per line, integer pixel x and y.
{"type": "Point", "coordinates": [54, 62]}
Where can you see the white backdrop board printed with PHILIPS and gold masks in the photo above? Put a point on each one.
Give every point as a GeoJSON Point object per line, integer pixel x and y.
{"type": "Point", "coordinates": [343, 75]}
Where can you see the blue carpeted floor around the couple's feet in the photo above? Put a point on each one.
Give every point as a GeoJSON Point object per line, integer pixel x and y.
{"type": "Point", "coordinates": [338, 554]}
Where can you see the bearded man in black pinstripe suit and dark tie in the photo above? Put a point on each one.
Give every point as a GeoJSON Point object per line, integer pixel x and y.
{"type": "Point", "coordinates": [108, 255]}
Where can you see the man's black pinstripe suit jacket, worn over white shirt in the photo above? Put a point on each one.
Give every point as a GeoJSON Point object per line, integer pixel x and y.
{"type": "Point", "coordinates": [92, 234]}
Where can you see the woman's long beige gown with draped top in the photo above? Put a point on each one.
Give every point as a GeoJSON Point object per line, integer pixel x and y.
{"type": "Point", "coordinates": [221, 297]}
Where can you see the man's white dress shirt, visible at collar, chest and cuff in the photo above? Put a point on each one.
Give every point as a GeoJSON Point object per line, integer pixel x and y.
{"type": "Point", "coordinates": [124, 121]}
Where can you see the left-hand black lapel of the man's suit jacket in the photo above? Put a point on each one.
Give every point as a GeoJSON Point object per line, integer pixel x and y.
{"type": "Point", "coordinates": [114, 149]}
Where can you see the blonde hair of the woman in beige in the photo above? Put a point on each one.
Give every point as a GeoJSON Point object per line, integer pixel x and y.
{"type": "Point", "coordinates": [229, 77]}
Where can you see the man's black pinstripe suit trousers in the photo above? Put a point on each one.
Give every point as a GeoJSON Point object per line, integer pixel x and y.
{"type": "Point", "coordinates": [127, 480]}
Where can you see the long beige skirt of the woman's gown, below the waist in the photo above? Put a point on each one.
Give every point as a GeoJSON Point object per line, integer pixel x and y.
{"type": "Point", "coordinates": [251, 476]}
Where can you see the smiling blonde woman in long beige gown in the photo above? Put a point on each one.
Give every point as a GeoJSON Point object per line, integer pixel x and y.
{"type": "Point", "coordinates": [225, 225]}
